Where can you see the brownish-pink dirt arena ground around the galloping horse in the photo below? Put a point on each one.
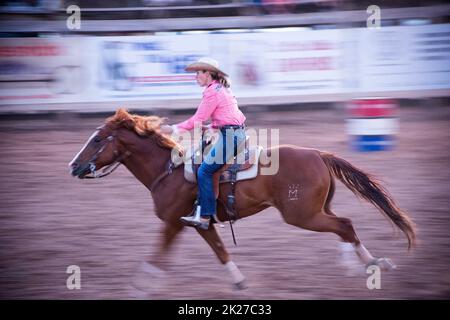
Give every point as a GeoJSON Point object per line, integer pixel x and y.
{"type": "Point", "coordinates": [49, 220]}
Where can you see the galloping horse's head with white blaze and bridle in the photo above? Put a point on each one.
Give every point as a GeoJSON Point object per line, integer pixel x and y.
{"type": "Point", "coordinates": [101, 149]}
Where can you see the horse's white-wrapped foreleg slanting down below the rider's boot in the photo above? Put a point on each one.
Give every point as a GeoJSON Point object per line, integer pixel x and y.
{"type": "Point", "coordinates": [212, 238]}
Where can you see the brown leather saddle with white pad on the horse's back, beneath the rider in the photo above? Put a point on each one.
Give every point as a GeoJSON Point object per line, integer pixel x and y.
{"type": "Point", "coordinates": [243, 166]}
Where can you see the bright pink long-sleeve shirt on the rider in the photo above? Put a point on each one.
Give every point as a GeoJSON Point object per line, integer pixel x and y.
{"type": "Point", "coordinates": [219, 104]}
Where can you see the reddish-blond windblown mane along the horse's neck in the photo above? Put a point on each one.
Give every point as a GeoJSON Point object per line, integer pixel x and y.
{"type": "Point", "coordinates": [144, 126]}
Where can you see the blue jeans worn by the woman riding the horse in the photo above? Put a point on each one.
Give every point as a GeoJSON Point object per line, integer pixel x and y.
{"type": "Point", "coordinates": [224, 149]}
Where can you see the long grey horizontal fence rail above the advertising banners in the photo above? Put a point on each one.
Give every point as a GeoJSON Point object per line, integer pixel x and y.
{"type": "Point", "coordinates": [337, 18]}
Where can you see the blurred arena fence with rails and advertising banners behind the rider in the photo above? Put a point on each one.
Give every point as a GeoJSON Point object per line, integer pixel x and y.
{"type": "Point", "coordinates": [275, 52]}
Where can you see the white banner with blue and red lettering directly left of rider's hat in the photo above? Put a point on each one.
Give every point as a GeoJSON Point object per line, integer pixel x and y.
{"type": "Point", "coordinates": [148, 67]}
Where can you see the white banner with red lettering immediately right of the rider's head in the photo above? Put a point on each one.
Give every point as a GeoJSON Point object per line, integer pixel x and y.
{"type": "Point", "coordinates": [286, 62]}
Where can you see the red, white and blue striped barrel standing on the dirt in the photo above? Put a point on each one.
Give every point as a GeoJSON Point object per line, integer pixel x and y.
{"type": "Point", "coordinates": [372, 124]}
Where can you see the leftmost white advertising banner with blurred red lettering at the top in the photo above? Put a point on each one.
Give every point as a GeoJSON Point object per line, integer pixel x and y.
{"type": "Point", "coordinates": [34, 70]}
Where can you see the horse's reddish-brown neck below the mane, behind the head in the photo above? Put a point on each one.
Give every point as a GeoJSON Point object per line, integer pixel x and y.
{"type": "Point", "coordinates": [146, 164]}
